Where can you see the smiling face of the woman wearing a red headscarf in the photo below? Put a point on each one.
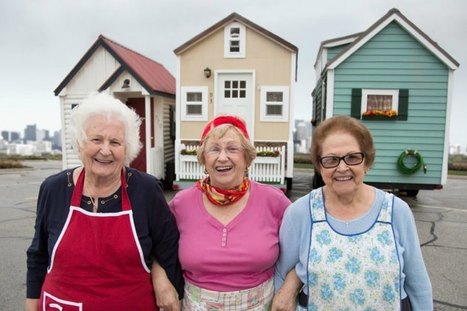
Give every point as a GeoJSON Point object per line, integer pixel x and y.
{"type": "Point", "coordinates": [225, 160]}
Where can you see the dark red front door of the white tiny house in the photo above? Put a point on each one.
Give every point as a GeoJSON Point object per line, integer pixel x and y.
{"type": "Point", "coordinates": [137, 104]}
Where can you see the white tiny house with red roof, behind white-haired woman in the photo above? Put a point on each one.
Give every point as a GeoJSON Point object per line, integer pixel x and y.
{"type": "Point", "coordinates": [143, 84]}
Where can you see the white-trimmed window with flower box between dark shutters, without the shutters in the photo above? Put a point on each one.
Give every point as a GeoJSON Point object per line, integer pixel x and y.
{"type": "Point", "coordinates": [380, 102]}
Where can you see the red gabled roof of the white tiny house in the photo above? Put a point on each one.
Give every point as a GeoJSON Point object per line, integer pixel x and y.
{"type": "Point", "coordinates": [153, 76]}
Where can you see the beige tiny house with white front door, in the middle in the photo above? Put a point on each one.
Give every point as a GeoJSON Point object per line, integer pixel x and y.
{"type": "Point", "coordinates": [237, 67]}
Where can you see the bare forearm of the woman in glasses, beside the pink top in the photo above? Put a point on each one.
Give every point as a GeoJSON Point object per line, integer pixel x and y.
{"type": "Point", "coordinates": [285, 298]}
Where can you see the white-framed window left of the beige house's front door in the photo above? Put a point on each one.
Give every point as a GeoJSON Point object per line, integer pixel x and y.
{"type": "Point", "coordinates": [194, 103]}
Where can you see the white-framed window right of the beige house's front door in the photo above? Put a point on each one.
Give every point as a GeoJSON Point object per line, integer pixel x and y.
{"type": "Point", "coordinates": [274, 103]}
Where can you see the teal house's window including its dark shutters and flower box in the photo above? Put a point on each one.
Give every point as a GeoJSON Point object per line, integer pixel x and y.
{"type": "Point", "coordinates": [376, 104]}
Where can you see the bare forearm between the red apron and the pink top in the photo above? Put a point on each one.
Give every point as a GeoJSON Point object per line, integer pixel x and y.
{"type": "Point", "coordinates": [166, 294]}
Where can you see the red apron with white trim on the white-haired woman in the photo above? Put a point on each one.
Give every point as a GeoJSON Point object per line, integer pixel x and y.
{"type": "Point", "coordinates": [97, 262]}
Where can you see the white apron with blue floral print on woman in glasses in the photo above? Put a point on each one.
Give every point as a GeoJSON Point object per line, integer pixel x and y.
{"type": "Point", "coordinates": [353, 272]}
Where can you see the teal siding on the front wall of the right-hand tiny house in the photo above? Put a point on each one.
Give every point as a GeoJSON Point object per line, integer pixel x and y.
{"type": "Point", "coordinates": [393, 59]}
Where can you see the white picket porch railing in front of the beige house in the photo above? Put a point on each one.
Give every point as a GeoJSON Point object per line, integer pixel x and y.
{"type": "Point", "coordinates": [263, 169]}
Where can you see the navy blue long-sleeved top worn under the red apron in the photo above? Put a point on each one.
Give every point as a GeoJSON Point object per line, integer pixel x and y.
{"type": "Point", "coordinates": [155, 225]}
